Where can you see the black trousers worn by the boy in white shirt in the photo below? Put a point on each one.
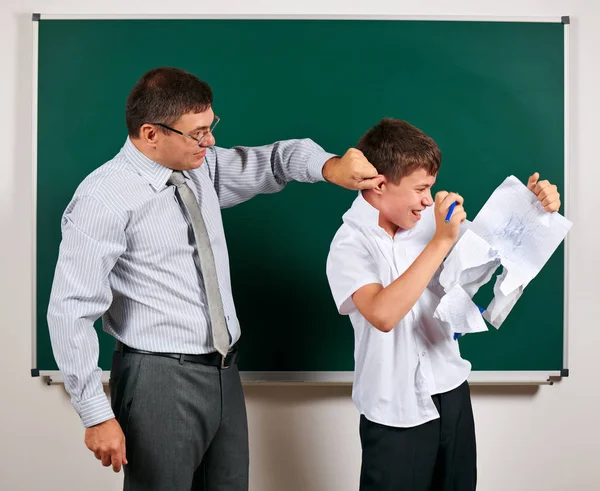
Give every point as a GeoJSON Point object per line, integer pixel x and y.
{"type": "Point", "coordinates": [439, 455]}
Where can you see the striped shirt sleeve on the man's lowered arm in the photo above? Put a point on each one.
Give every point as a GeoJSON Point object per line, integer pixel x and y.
{"type": "Point", "coordinates": [93, 238]}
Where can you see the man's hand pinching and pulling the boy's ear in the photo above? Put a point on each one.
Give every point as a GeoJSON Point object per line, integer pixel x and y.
{"type": "Point", "coordinates": [352, 171]}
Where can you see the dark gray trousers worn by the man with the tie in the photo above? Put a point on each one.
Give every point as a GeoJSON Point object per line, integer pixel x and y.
{"type": "Point", "coordinates": [185, 424]}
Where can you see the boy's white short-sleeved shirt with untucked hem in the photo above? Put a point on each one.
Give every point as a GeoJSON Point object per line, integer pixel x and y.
{"type": "Point", "coordinates": [396, 373]}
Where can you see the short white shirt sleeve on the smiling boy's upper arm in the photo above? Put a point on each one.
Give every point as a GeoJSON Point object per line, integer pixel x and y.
{"type": "Point", "coordinates": [350, 266]}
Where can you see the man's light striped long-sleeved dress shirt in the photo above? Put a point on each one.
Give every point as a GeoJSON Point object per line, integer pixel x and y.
{"type": "Point", "coordinates": [126, 255]}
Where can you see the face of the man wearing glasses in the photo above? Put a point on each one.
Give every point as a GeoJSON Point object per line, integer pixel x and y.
{"type": "Point", "coordinates": [181, 153]}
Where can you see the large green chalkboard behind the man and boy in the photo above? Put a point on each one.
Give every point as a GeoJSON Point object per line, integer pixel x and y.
{"type": "Point", "coordinates": [490, 93]}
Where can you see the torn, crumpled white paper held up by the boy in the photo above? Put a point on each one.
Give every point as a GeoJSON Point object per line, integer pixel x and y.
{"type": "Point", "coordinates": [513, 230]}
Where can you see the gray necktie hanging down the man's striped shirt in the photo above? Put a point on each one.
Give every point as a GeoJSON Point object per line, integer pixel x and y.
{"type": "Point", "coordinates": [187, 198]}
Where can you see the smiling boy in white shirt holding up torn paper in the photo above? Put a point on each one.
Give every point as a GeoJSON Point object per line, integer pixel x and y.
{"type": "Point", "coordinates": [410, 382]}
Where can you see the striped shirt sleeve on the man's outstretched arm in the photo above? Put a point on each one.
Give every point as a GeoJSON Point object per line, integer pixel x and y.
{"type": "Point", "coordinates": [240, 173]}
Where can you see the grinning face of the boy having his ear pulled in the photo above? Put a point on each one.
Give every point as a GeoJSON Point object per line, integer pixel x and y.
{"type": "Point", "coordinates": [402, 204]}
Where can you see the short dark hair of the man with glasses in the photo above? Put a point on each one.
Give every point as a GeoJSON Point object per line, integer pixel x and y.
{"type": "Point", "coordinates": [163, 95]}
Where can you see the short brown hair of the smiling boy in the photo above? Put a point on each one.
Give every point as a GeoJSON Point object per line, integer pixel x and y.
{"type": "Point", "coordinates": [396, 149]}
